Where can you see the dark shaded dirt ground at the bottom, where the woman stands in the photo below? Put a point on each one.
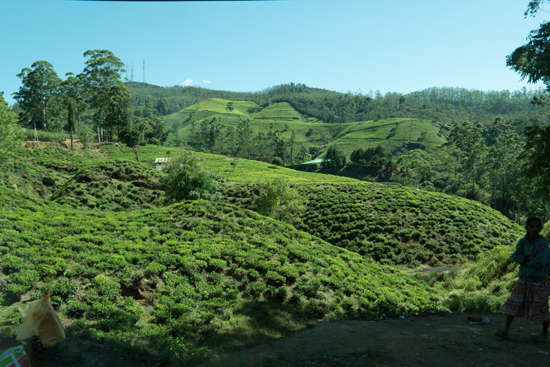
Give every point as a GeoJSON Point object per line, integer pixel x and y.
{"type": "Point", "coordinates": [436, 340]}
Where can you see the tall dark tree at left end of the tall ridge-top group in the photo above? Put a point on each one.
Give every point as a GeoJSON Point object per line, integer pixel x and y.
{"type": "Point", "coordinates": [40, 87]}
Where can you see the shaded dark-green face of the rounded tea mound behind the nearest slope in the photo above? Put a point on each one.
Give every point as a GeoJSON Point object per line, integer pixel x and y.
{"type": "Point", "coordinates": [395, 224]}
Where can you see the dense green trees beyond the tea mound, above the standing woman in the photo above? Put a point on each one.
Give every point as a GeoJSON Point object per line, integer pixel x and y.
{"type": "Point", "coordinates": [490, 163]}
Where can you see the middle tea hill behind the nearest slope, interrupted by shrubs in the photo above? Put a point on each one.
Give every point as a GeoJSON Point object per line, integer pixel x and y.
{"type": "Point", "coordinates": [389, 223]}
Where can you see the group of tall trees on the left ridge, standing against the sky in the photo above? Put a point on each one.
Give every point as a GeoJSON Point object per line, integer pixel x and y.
{"type": "Point", "coordinates": [96, 97]}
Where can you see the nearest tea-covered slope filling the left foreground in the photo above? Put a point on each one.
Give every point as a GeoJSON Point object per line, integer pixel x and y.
{"type": "Point", "coordinates": [183, 277]}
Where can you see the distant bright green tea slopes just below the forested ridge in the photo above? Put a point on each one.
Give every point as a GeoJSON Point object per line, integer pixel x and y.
{"type": "Point", "coordinates": [396, 134]}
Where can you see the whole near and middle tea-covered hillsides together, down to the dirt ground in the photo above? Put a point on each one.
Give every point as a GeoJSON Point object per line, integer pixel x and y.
{"type": "Point", "coordinates": [126, 268]}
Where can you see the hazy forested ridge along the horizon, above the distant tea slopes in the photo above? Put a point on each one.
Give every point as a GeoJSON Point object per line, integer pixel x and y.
{"type": "Point", "coordinates": [444, 105]}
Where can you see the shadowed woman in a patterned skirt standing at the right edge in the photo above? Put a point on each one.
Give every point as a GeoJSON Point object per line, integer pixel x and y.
{"type": "Point", "coordinates": [529, 298]}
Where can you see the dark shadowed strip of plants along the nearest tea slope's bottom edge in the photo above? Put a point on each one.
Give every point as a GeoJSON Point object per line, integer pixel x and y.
{"type": "Point", "coordinates": [251, 324]}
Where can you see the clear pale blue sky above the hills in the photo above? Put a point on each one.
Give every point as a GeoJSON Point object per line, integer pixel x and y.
{"type": "Point", "coordinates": [343, 45]}
